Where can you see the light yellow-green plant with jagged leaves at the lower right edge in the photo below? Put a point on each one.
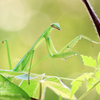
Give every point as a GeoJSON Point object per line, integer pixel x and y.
{"type": "Point", "coordinates": [92, 80]}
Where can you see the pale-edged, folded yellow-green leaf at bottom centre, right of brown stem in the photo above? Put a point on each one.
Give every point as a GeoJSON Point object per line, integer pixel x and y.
{"type": "Point", "coordinates": [55, 84]}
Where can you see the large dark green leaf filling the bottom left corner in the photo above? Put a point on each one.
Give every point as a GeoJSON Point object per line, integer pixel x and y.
{"type": "Point", "coordinates": [10, 91]}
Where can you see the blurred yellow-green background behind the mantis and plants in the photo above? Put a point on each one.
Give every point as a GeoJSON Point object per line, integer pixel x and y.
{"type": "Point", "coordinates": [23, 21]}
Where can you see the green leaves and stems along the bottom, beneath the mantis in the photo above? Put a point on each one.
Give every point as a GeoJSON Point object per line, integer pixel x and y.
{"type": "Point", "coordinates": [38, 83]}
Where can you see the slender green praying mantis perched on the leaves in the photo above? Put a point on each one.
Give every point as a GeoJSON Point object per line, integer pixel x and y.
{"type": "Point", "coordinates": [64, 53]}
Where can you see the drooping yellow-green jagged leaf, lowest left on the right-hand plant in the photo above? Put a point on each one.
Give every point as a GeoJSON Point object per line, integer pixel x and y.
{"type": "Point", "coordinates": [78, 81]}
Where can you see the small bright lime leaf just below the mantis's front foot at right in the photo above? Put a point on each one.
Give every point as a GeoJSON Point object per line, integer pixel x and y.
{"type": "Point", "coordinates": [88, 61]}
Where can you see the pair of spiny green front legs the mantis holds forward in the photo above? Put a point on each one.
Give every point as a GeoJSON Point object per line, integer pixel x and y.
{"type": "Point", "coordinates": [64, 52]}
